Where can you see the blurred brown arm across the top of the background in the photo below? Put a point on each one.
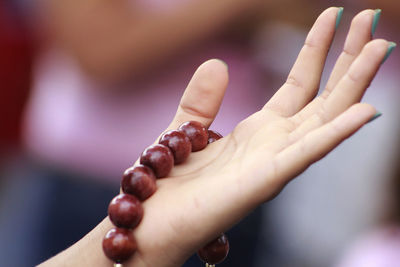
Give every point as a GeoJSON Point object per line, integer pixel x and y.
{"type": "Point", "coordinates": [113, 40]}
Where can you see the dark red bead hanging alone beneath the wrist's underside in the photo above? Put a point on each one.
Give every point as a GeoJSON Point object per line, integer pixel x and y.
{"type": "Point", "coordinates": [215, 251]}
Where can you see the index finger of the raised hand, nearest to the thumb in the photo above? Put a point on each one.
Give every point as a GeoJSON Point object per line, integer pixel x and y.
{"type": "Point", "coordinates": [304, 78]}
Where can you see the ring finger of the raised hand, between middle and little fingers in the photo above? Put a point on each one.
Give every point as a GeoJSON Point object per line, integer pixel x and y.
{"type": "Point", "coordinates": [349, 90]}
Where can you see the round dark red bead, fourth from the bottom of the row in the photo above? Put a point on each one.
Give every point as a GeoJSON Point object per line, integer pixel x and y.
{"type": "Point", "coordinates": [159, 158]}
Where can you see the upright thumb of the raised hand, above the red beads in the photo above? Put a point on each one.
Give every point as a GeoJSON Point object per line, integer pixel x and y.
{"type": "Point", "coordinates": [203, 96]}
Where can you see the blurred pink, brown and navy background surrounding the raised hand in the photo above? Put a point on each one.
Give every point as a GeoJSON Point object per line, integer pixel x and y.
{"type": "Point", "coordinates": [87, 85]}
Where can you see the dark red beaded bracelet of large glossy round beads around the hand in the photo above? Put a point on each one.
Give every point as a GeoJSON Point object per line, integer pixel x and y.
{"type": "Point", "coordinates": [139, 183]}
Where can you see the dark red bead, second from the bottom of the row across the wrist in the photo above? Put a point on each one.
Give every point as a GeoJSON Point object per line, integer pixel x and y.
{"type": "Point", "coordinates": [125, 211]}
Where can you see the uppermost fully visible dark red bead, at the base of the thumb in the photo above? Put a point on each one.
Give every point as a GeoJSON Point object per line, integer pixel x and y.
{"type": "Point", "coordinates": [197, 134]}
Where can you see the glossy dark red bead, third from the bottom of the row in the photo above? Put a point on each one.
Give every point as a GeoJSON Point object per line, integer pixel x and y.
{"type": "Point", "coordinates": [139, 181]}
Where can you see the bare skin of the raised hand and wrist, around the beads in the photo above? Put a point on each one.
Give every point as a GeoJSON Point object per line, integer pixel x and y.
{"type": "Point", "coordinates": [250, 166]}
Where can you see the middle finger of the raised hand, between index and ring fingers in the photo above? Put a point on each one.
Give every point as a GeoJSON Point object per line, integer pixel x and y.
{"type": "Point", "coordinates": [359, 34]}
